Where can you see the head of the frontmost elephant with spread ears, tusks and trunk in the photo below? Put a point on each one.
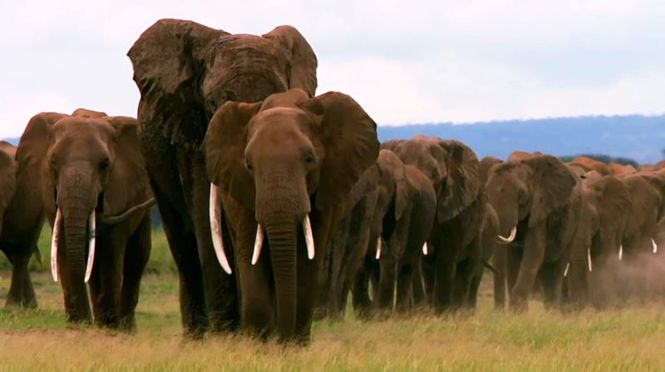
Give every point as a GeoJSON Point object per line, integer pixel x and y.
{"type": "Point", "coordinates": [282, 159]}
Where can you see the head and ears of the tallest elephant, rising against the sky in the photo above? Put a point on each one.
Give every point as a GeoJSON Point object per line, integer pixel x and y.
{"type": "Point", "coordinates": [186, 71]}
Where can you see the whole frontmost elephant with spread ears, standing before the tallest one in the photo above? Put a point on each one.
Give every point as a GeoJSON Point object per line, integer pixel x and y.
{"type": "Point", "coordinates": [282, 169]}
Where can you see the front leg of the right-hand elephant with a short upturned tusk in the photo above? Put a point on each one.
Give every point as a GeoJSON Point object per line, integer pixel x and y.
{"type": "Point", "coordinates": [532, 259]}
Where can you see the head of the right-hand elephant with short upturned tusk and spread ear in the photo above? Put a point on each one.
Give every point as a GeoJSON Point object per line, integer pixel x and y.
{"type": "Point", "coordinates": [528, 189]}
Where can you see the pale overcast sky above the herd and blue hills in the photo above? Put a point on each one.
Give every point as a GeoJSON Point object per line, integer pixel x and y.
{"type": "Point", "coordinates": [403, 61]}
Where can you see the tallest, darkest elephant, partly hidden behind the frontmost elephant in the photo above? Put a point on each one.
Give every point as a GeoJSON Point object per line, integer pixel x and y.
{"type": "Point", "coordinates": [185, 72]}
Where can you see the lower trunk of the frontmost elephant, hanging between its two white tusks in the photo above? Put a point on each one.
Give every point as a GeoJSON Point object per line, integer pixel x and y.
{"type": "Point", "coordinates": [282, 238]}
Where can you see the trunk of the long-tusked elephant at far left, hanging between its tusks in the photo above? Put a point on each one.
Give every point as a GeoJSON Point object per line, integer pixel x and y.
{"type": "Point", "coordinates": [76, 205]}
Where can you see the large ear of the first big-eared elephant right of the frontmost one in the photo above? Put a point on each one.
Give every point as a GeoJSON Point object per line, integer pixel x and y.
{"type": "Point", "coordinates": [462, 184]}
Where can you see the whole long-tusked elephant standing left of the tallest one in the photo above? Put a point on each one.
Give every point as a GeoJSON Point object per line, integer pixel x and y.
{"type": "Point", "coordinates": [88, 171]}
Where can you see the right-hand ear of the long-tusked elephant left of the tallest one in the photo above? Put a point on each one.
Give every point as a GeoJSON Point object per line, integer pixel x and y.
{"type": "Point", "coordinates": [128, 183]}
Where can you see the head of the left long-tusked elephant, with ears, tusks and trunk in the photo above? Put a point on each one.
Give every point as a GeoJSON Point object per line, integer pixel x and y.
{"type": "Point", "coordinates": [89, 166]}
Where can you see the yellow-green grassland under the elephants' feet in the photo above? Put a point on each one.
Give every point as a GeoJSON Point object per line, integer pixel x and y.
{"type": "Point", "coordinates": [629, 339]}
